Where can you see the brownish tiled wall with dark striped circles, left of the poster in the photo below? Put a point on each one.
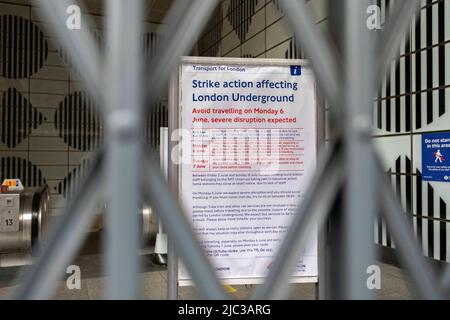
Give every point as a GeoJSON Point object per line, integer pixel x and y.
{"type": "Point", "coordinates": [49, 127]}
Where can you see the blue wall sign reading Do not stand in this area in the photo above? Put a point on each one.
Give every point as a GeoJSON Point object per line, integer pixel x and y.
{"type": "Point", "coordinates": [436, 157]}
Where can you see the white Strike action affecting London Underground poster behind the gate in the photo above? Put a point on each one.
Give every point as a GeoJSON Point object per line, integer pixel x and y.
{"type": "Point", "coordinates": [249, 150]}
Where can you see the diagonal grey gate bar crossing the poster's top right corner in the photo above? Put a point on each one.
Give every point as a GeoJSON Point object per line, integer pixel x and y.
{"type": "Point", "coordinates": [324, 60]}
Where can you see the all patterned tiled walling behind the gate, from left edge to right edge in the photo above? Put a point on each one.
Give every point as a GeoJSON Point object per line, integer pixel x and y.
{"type": "Point", "coordinates": [50, 139]}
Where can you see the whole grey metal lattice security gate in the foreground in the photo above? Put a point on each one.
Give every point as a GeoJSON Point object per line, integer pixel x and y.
{"type": "Point", "coordinates": [121, 85]}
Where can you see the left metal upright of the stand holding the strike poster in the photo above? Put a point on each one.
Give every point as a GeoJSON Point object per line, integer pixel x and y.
{"type": "Point", "coordinates": [172, 257]}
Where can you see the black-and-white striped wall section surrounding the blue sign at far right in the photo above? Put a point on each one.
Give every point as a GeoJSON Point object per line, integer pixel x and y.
{"type": "Point", "coordinates": [415, 99]}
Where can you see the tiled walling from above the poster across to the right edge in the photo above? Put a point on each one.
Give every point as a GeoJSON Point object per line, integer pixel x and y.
{"type": "Point", "coordinates": [414, 98]}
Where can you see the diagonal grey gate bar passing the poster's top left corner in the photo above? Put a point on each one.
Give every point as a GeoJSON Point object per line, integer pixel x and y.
{"type": "Point", "coordinates": [183, 26]}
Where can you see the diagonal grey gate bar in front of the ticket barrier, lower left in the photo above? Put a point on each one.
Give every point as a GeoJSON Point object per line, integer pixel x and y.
{"type": "Point", "coordinates": [64, 237]}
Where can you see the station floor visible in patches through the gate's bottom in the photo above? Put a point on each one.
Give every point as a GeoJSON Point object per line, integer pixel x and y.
{"type": "Point", "coordinates": [394, 284]}
